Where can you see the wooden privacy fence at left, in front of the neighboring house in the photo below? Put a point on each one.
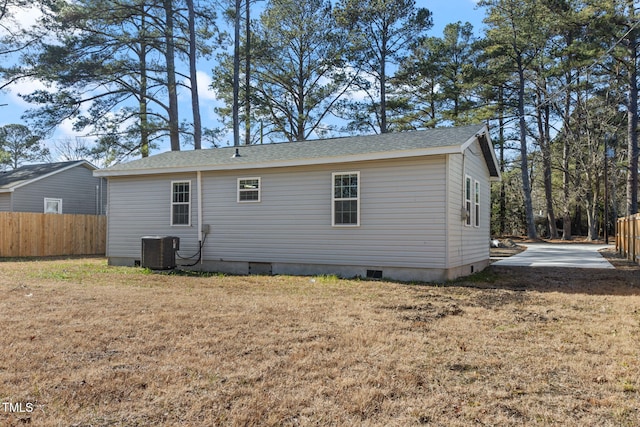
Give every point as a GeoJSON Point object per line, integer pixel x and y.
{"type": "Point", "coordinates": [25, 234]}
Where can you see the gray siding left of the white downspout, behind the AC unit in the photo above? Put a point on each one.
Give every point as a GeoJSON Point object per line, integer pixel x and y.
{"type": "Point", "coordinates": [141, 207]}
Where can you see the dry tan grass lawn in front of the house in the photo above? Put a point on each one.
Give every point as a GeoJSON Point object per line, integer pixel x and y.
{"type": "Point", "coordinates": [84, 344]}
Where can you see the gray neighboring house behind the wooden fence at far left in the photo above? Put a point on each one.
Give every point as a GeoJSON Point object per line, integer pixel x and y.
{"type": "Point", "coordinates": [64, 188]}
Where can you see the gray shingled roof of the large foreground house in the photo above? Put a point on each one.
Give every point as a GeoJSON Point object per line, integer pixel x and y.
{"type": "Point", "coordinates": [321, 151]}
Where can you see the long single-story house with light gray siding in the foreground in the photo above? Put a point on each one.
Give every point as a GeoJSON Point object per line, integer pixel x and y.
{"type": "Point", "coordinates": [406, 206]}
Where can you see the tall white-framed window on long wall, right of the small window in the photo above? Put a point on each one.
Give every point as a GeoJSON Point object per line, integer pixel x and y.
{"type": "Point", "coordinates": [345, 209]}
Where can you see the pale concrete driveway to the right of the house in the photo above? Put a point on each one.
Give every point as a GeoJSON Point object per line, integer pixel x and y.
{"type": "Point", "coordinates": [558, 255]}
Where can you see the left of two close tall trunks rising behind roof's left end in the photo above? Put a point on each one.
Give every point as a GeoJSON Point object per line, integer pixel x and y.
{"type": "Point", "coordinates": [174, 133]}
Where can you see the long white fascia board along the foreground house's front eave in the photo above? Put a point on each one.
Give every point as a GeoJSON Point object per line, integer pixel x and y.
{"type": "Point", "coordinates": [451, 149]}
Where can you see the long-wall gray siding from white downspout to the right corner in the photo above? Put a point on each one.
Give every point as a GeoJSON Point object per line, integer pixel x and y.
{"type": "Point", "coordinates": [401, 217]}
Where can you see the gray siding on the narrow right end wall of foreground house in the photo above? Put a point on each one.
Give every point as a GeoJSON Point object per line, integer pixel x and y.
{"type": "Point", "coordinates": [468, 244]}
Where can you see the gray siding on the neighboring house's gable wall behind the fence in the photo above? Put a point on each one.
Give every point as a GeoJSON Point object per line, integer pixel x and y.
{"type": "Point", "coordinates": [78, 189]}
